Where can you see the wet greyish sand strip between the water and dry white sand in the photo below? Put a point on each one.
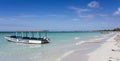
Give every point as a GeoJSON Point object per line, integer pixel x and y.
{"type": "Point", "coordinates": [88, 53]}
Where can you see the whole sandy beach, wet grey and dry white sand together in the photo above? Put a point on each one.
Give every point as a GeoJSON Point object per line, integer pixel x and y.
{"type": "Point", "coordinates": [94, 51]}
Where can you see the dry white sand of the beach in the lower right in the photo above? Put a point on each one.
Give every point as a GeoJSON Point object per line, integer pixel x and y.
{"type": "Point", "coordinates": [105, 53]}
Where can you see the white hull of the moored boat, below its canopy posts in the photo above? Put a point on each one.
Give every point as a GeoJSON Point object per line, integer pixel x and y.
{"type": "Point", "coordinates": [26, 40]}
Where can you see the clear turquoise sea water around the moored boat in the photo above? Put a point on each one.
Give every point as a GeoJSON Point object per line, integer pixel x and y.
{"type": "Point", "coordinates": [60, 41]}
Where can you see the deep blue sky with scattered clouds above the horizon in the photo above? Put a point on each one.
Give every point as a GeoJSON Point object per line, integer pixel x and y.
{"type": "Point", "coordinates": [59, 15]}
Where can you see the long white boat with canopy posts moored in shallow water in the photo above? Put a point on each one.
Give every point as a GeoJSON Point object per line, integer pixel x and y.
{"type": "Point", "coordinates": [28, 40]}
